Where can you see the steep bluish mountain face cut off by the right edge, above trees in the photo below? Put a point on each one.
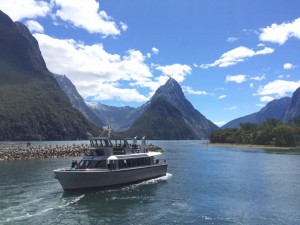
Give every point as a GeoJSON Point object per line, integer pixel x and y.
{"type": "Point", "coordinates": [293, 110]}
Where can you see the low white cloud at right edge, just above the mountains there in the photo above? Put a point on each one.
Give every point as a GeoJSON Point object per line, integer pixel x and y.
{"type": "Point", "coordinates": [279, 88]}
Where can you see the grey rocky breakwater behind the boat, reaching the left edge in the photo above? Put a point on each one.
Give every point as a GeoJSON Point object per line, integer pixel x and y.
{"type": "Point", "coordinates": [20, 152]}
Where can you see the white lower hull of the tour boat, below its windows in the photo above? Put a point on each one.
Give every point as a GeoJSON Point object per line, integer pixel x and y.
{"type": "Point", "coordinates": [90, 178]}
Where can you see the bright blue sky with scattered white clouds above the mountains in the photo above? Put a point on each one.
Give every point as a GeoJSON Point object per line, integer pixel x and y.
{"type": "Point", "coordinates": [231, 57]}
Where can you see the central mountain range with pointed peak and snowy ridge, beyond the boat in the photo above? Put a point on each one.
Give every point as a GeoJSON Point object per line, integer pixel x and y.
{"type": "Point", "coordinates": [168, 115]}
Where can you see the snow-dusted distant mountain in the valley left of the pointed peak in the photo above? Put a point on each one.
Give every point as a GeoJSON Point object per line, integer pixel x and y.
{"type": "Point", "coordinates": [119, 118]}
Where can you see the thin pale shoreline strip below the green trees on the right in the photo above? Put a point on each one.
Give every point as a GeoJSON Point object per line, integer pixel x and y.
{"type": "Point", "coordinates": [269, 147]}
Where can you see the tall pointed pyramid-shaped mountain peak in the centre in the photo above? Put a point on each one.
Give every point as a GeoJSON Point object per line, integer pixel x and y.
{"type": "Point", "coordinates": [169, 115]}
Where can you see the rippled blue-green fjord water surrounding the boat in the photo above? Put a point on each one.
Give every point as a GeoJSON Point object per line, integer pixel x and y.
{"type": "Point", "coordinates": [204, 185]}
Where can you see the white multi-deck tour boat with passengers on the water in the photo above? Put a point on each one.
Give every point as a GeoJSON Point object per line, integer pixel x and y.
{"type": "Point", "coordinates": [110, 162]}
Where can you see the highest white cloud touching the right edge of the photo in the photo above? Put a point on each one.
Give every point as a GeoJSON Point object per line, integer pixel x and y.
{"type": "Point", "coordinates": [280, 33]}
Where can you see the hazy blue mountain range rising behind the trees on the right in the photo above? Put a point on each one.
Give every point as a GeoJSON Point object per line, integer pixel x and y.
{"type": "Point", "coordinates": [283, 109]}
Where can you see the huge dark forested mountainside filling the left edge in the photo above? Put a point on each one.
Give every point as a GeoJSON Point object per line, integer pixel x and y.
{"type": "Point", "coordinates": [32, 105]}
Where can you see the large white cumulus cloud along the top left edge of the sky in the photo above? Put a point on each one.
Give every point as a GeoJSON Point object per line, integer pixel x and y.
{"type": "Point", "coordinates": [82, 14]}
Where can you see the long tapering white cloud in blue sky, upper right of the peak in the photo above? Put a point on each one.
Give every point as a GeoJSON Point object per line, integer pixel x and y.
{"type": "Point", "coordinates": [236, 55]}
